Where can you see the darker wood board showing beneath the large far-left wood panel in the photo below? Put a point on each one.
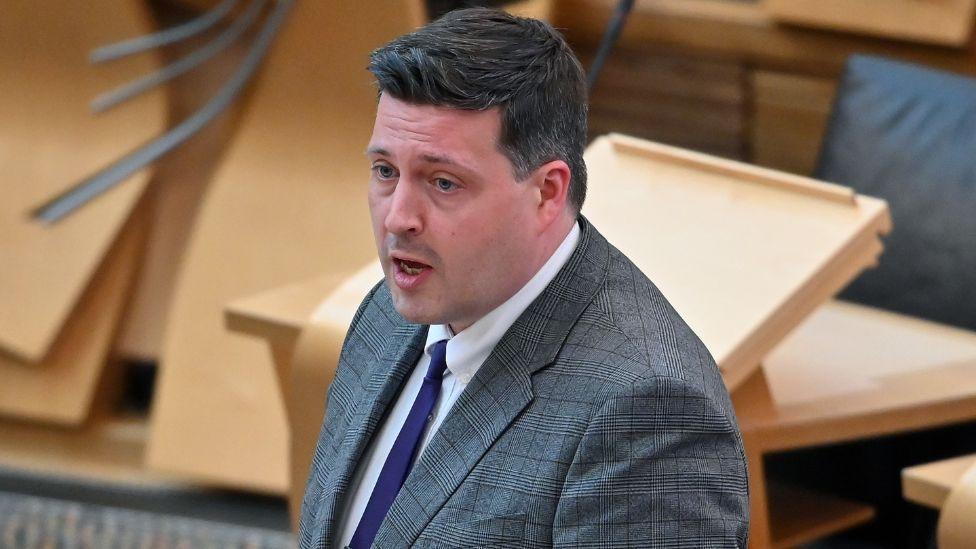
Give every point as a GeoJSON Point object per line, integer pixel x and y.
{"type": "Point", "coordinates": [61, 387]}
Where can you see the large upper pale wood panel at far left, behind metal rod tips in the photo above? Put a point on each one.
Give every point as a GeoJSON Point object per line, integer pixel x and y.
{"type": "Point", "coordinates": [48, 141]}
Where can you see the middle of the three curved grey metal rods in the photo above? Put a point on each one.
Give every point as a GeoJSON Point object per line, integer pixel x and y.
{"type": "Point", "coordinates": [112, 98]}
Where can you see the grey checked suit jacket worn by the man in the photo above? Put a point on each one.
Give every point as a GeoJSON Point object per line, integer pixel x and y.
{"type": "Point", "coordinates": [599, 420]}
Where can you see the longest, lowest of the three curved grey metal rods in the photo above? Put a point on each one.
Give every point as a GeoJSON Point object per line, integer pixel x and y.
{"type": "Point", "coordinates": [110, 176]}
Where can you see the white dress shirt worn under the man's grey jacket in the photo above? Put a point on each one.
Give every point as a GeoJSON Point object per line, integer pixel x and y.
{"type": "Point", "coordinates": [466, 352]}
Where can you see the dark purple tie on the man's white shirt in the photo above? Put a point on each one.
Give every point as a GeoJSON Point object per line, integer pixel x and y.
{"type": "Point", "coordinates": [404, 450]}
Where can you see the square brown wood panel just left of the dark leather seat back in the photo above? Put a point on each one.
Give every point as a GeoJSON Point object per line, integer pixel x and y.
{"type": "Point", "coordinates": [790, 115]}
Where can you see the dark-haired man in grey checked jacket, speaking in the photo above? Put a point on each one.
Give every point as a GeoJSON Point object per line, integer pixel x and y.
{"type": "Point", "coordinates": [516, 381]}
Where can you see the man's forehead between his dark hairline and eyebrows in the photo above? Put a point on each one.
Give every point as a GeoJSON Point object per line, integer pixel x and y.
{"type": "Point", "coordinates": [402, 124]}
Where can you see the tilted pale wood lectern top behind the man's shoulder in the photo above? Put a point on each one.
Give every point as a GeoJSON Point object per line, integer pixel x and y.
{"type": "Point", "coordinates": [764, 247]}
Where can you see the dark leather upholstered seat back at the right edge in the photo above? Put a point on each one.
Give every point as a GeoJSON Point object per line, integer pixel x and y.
{"type": "Point", "coordinates": [908, 134]}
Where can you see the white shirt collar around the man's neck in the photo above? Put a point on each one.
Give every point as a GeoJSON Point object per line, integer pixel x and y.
{"type": "Point", "coordinates": [469, 349]}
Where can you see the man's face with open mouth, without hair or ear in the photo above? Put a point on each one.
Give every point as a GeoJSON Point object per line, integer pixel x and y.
{"type": "Point", "coordinates": [455, 232]}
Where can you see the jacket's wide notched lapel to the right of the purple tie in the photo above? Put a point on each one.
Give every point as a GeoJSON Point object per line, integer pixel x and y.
{"type": "Point", "coordinates": [498, 393]}
